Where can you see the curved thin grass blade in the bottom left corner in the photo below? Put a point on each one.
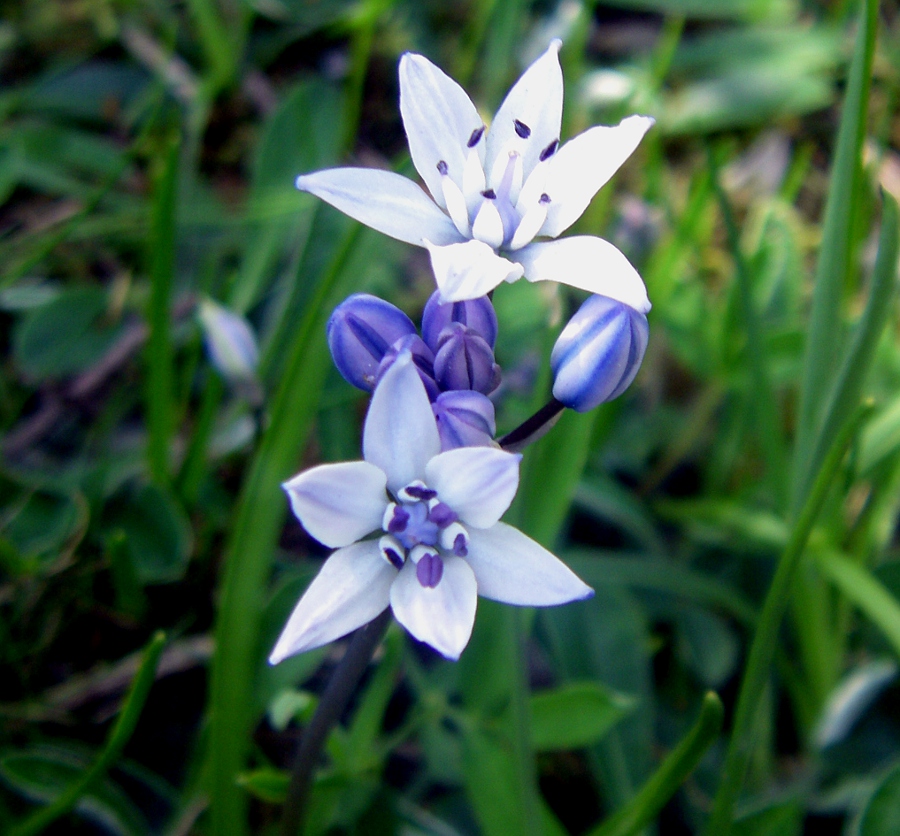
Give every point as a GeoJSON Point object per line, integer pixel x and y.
{"type": "Point", "coordinates": [115, 743]}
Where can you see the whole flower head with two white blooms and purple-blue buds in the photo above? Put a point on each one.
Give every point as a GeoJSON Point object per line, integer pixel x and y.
{"type": "Point", "coordinates": [416, 524]}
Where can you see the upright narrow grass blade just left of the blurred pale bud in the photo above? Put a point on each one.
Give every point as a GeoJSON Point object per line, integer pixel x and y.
{"type": "Point", "coordinates": [160, 407]}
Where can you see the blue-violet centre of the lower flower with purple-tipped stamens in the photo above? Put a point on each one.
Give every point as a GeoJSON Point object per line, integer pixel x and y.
{"type": "Point", "coordinates": [419, 527]}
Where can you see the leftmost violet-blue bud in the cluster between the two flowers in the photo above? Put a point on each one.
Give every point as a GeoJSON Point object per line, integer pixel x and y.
{"type": "Point", "coordinates": [360, 331]}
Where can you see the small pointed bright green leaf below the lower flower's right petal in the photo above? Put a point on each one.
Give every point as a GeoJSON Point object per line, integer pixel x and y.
{"type": "Point", "coordinates": [574, 715]}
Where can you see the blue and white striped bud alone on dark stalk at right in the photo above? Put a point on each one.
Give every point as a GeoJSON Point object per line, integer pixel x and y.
{"type": "Point", "coordinates": [598, 353]}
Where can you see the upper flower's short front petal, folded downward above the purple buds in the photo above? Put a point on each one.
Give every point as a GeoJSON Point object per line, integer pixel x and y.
{"type": "Point", "coordinates": [469, 270]}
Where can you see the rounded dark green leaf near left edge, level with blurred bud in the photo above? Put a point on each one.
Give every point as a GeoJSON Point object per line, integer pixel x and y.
{"type": "Point", "coordinates": [65, 336]}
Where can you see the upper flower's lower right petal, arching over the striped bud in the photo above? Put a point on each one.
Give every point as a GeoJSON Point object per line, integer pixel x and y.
{"type": "Point", "coordinates": [587, 263]}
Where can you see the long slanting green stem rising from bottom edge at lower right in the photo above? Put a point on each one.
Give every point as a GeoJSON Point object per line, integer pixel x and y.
{"type": "Point", "coordinates": [765, 641]}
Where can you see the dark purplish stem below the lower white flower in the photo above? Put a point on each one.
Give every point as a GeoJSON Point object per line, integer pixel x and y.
{"type": "Point", "coordinates": [337, 694]}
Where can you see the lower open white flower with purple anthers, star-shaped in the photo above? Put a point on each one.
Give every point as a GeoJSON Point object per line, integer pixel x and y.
{"type": "Point", "coordinates": [441, 541]}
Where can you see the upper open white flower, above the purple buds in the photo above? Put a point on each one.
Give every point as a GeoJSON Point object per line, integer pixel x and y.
{"type": "Point", "coordinates": [494, 191]}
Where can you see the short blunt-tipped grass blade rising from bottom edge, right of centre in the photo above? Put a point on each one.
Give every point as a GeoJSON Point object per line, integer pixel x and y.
{"type": "Point", "coordinates": [680, 763]}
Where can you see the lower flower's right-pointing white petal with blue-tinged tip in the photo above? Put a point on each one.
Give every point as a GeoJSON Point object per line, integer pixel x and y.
{"type": "Point", "coordinates": [514, 569]}
